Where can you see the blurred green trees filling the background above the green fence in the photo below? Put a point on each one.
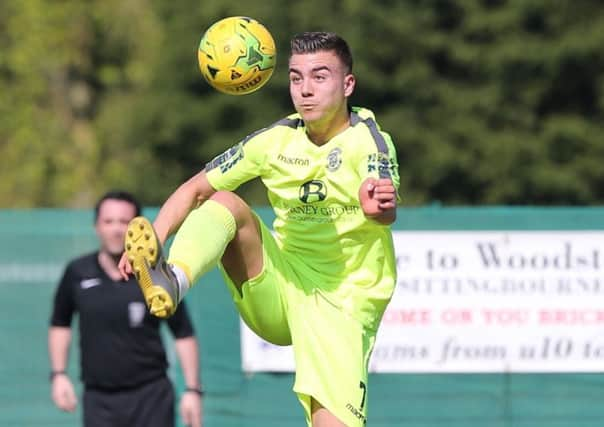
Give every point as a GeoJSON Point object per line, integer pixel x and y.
{"type": "Point", "coordinates": [488, 101]}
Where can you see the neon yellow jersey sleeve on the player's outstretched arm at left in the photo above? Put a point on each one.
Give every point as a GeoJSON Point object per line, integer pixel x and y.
{"type": "Point", "coordinates": [238, 164]}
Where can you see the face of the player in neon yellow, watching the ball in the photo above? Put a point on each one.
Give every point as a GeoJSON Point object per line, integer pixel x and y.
{"type": "Point", "coordinates": [319, 86]}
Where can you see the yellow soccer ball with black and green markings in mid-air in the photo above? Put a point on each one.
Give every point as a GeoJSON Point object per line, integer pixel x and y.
{"type": "Point", "coordinates": [237, 55]}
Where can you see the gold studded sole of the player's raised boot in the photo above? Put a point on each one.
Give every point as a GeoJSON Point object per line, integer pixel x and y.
{"type": "Point", "coordinates": [144, 250]}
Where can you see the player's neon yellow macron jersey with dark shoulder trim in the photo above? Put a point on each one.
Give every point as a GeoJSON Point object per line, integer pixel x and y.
{"type": "Point", "coordinates": [319, 224]}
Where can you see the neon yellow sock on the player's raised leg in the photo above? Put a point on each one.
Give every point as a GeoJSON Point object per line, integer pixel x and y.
{"type": "Point", "coordinates": [202, 238]}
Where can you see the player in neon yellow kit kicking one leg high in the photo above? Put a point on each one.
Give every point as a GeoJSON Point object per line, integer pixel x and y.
{"type": "Point", "coordinates": [323, 280]}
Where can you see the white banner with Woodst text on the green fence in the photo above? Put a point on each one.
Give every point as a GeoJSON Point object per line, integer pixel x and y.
{"type": "Point", "coordinates": [483, 301]}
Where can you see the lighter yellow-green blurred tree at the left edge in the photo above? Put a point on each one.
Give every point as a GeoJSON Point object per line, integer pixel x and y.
{"type": "Point", "coordinates": [61, 61]}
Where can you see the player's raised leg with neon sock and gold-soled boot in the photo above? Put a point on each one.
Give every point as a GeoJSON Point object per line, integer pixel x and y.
{"type": "Point", "coordinates": [223, 225]}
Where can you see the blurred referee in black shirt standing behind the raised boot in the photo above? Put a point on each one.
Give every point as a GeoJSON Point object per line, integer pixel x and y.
{"type": "Point", "coordinates": [123, 362]}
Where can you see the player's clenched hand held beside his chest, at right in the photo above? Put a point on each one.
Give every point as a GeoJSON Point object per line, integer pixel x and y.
{"type": "Point", "coordinates": [378, 199]}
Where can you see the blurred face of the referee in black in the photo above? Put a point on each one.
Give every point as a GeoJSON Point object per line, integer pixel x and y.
{"type": "Point", "coordinates": [113, 219]}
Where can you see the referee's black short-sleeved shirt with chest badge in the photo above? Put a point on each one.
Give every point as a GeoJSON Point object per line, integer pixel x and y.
{"type": "Point", "coordinates": [120, 343]}
